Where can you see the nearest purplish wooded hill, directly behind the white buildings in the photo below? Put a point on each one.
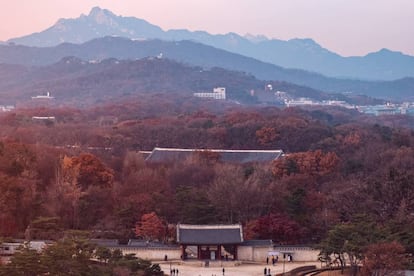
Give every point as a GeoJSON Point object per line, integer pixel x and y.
{"type": "Point", "coordinates": [77, 82]}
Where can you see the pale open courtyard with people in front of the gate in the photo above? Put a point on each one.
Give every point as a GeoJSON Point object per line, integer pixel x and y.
{"type": "Point", "coordinates": [242, 270]}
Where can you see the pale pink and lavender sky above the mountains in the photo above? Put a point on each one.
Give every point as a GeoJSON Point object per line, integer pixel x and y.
{"type": "Point", "coordinates": [347, 27]}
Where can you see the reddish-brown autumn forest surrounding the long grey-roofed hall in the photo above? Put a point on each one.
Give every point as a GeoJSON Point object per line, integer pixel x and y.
{"type": "Point", "coordinates": [345, 183]}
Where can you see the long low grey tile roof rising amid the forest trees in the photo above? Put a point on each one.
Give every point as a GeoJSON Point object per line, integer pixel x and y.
{"type": "Point", "coordinates": [234, 156]}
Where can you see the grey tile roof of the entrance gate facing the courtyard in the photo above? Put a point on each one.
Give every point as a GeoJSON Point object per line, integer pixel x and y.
{"type": "Point", "coordinates": [209, 234]}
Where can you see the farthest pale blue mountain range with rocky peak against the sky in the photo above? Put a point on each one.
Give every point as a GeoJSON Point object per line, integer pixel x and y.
{"type": "Point", "coordinates": [303, 54]}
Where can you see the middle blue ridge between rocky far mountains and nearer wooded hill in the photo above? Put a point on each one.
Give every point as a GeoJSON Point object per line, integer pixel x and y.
{"type": "Point", "coordinates": [198, 54]}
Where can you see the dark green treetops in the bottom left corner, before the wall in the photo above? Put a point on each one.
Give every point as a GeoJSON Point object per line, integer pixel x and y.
{"type": "Point", "coordinates": [75, 255]}
